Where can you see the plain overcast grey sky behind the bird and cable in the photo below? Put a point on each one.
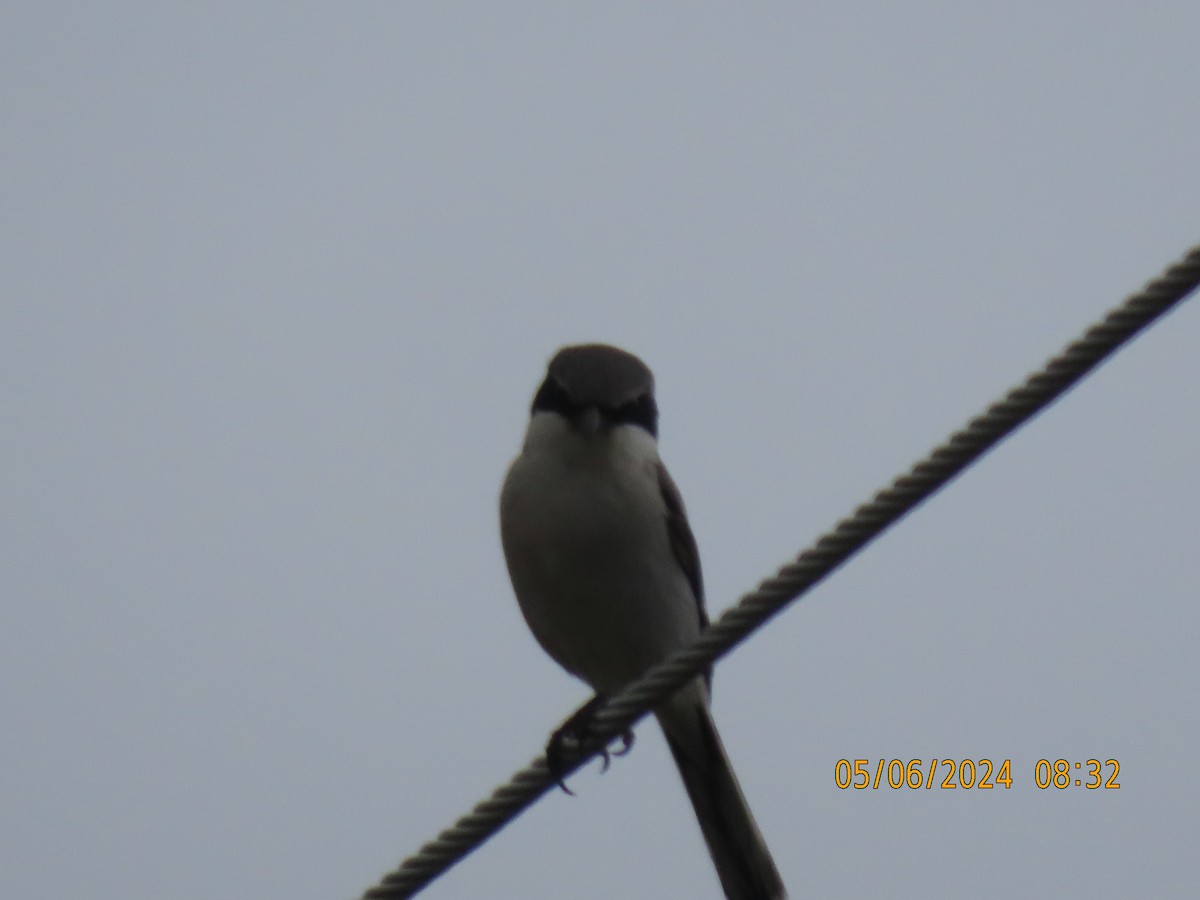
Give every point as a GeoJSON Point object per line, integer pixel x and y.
{"type": "Point", "coordinates": [280, 280]}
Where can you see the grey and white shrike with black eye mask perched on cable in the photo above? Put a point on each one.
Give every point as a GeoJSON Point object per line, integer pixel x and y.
{"type": "Point", "coordinates": [608, 574]}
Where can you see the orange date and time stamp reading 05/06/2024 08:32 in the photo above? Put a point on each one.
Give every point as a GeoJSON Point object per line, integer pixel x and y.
{"type": "Point", "coordinates": [973, 775]}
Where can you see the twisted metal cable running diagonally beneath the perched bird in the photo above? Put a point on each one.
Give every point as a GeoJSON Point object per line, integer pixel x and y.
{"type": "Point", "coordinates": [833, 549]}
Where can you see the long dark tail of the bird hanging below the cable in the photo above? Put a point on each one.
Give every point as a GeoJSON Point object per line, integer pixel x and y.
{"type": "Point", "coordinates": [740, 854]}
